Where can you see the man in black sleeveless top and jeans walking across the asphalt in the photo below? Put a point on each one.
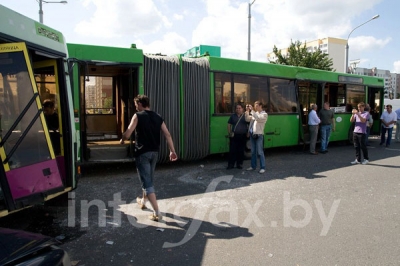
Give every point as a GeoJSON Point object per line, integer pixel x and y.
{"type": "Point", "coordinates": [147, 126]}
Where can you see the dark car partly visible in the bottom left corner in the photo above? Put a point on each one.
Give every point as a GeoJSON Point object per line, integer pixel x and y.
{"type": "Point", "coordinates": [23, 248]}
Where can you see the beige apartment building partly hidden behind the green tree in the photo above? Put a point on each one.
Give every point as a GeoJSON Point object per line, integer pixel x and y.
{"type": "Point", "coordinates": [334, 47]}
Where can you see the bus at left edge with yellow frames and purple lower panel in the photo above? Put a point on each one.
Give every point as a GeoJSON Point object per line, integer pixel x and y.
{"type": "Point", "coordinates": [37, 157]}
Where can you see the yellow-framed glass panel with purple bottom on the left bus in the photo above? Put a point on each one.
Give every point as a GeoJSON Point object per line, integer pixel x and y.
{"type": "Point", "coordinates": [29, 169]}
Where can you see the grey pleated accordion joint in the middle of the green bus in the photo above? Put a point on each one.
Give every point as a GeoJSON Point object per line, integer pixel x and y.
{"type": "Point", "coordinates": [179, 89]}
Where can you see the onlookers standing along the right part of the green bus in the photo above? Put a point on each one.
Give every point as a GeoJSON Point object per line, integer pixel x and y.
{"type": "Point", "coordinates": [321, 123]}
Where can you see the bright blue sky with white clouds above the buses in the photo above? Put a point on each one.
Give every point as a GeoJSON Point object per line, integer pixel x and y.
{"type": "Point", "coordinates": [174, 26]}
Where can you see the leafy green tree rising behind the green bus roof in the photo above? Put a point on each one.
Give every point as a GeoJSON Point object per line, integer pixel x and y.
{"type": "Point", "coordinates": [298, 55]}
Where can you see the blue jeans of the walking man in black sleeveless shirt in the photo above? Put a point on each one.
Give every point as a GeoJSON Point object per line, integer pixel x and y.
{"type": "Point", "coordinates": [145, 165]}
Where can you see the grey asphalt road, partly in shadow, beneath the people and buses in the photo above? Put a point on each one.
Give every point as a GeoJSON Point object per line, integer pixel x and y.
{"type": "Point", "coordinates": [305, 210]}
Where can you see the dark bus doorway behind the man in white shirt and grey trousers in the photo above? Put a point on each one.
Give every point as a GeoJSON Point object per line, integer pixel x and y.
{"type": "Point", "coordinates": [309, 94]}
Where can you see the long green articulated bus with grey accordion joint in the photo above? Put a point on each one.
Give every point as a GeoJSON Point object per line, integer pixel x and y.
{"type": "Point", "coordinates": [196, 96]}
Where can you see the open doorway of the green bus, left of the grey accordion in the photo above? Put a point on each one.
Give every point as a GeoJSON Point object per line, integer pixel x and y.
{"type": "Point", "coordinates": [107, 100]}
